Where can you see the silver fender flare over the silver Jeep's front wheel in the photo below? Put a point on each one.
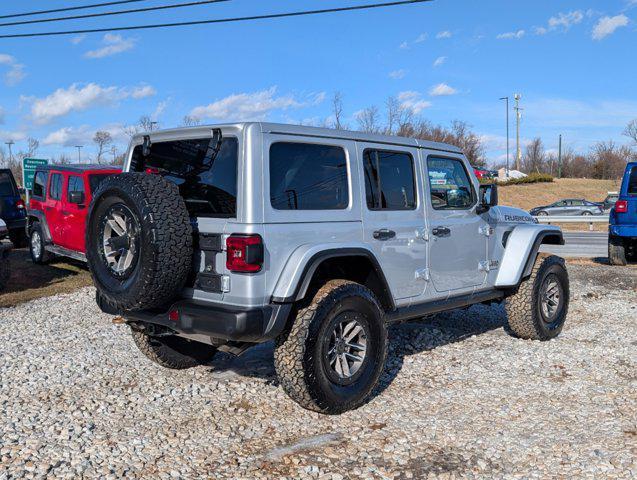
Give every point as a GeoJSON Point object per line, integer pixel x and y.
{"type": "Point", "coordinates": [521, 251]}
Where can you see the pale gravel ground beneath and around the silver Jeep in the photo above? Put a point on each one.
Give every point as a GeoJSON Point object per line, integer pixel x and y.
{"type": "Point", "coordinates": [460, 398]}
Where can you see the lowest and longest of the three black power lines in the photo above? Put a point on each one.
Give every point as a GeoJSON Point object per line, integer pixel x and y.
{"type": "Point", "coordinates": [219, 20]}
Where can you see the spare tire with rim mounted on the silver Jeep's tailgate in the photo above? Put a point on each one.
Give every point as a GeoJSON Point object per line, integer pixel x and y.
{"type": "Point", "coordinates": [138, 241]}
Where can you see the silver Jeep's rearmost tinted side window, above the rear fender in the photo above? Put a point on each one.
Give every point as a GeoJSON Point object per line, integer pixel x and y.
{"type": "Point", "coordinates": [308, 177]}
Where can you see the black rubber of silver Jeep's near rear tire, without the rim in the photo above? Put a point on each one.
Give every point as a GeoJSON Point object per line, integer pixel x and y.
{"type": "Point", "coordinates": [298, 350]}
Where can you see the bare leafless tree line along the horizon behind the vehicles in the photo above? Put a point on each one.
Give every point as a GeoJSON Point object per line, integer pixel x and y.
{"type": "Point", "coordinates": [604, 160]}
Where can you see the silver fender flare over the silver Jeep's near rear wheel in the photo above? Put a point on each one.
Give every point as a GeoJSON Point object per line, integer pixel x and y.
{"type": "Point", "coordinates": [300, 267]}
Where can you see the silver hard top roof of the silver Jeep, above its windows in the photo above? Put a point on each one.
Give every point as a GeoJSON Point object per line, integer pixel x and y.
{"type": "Point", "coordinates": [301, 130]}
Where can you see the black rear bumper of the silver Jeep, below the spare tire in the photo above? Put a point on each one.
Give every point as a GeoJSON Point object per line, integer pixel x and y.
{"type": "Point", "coordinates": [218, 322]}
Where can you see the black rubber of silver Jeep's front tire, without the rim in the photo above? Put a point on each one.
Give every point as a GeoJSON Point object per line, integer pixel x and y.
{"type": "Point", "coordinates": [525, 317]}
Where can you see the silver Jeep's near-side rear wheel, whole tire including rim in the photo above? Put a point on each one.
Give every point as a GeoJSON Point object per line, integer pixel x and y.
{"type": "Point", "coordinates": [332, 356]}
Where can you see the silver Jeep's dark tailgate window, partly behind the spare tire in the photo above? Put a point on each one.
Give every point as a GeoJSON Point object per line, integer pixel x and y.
{"type": "Point", "coordinates": [208, 188]}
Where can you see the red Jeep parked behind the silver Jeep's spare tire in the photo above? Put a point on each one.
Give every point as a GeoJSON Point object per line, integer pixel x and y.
{"type": "Point", "coordinates": [58, 206]}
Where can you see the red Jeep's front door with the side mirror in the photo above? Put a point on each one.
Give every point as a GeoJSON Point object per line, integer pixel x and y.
{"type": "Point", "coordinates": [74, 213]}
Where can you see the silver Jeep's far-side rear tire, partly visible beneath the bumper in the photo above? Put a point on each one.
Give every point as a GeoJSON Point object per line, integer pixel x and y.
{"type": "Point", "coordinates": [173, 352]}
